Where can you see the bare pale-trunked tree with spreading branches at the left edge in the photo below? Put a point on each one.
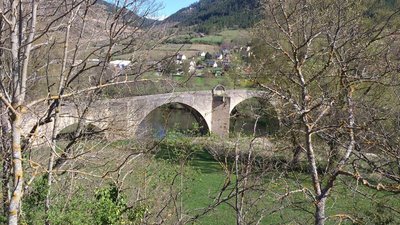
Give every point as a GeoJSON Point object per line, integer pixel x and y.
{"type": "Point", "coordinates": [50, 51]}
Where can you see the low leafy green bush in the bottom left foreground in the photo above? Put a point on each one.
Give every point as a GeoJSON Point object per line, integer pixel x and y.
{"type": "Point", "coordinates": [106, 206]}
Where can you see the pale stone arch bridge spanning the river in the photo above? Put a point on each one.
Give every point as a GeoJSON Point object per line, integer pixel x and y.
{"type": "Point", "coordinates": [120, 118]}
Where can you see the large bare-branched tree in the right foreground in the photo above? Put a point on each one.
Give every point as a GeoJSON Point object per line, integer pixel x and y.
{"type": "Point", "coordinates": [335, 65]}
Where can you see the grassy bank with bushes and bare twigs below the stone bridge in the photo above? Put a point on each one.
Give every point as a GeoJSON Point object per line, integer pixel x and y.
{"type": "Point", "coordinates": [184, 180]}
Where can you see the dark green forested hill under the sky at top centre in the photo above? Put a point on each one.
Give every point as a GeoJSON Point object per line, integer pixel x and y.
{"type": "Point", "coordinates": [211, 15]}
